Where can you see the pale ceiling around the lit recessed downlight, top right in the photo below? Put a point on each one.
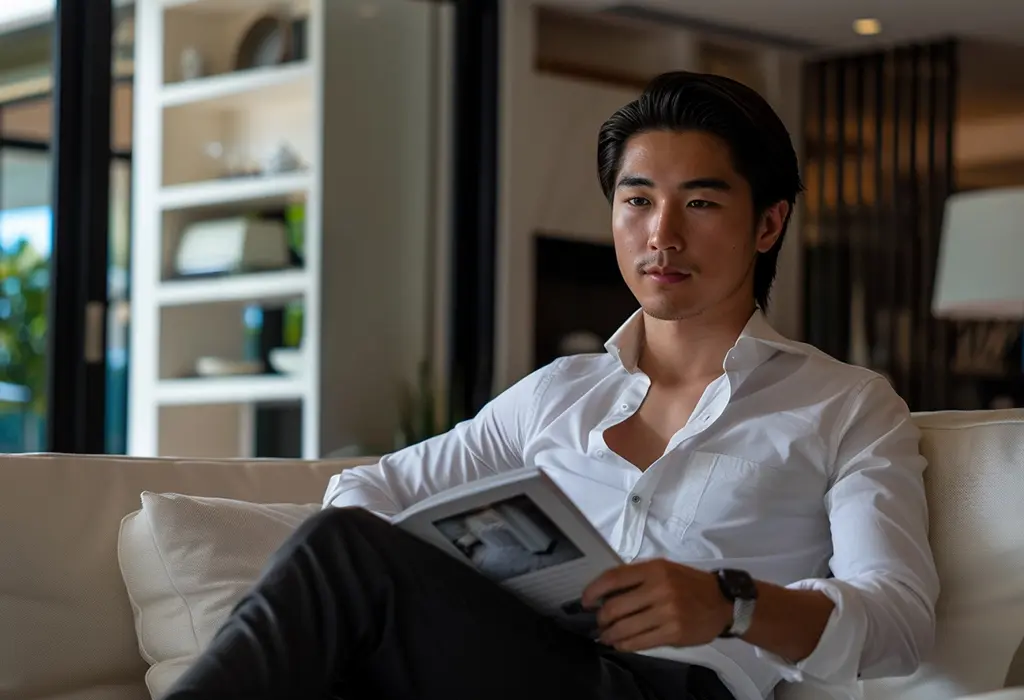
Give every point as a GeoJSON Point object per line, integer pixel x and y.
{"type": "Point", "coordinates": [829, 23]}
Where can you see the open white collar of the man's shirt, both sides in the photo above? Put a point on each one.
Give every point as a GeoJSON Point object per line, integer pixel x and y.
{"type": "Point", "coordinates": [756, 344]}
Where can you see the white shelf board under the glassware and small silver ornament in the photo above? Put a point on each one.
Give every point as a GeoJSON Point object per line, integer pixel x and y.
{"type": "Point", "coordinates": [238, 191]}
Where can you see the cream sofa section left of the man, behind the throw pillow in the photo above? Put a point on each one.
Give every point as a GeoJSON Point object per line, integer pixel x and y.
{"type": "Point", "coordinates": [67, 630]}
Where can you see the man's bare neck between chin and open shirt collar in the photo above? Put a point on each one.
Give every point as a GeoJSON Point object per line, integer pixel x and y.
{"type": "Point", "coordinates": [691, 351]}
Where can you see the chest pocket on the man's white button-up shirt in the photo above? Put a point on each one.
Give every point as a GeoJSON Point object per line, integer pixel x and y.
{"type": "Point", "coordinates": [721, 492]}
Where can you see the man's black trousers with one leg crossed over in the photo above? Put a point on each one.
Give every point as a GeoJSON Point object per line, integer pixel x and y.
{"type": "Point", "coordinates": [352, 607]}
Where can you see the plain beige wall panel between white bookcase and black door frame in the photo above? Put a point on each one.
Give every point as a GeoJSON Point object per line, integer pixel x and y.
{"type": "Point", "coordinates": [383, 210]}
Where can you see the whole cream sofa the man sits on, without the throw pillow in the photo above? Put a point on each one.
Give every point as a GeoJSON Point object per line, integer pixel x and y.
{"type": "Point", "coordinates": [67, 631]}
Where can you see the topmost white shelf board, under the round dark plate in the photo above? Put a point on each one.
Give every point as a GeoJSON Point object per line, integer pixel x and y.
{"type": "Point", "coordinates": [243, 90]}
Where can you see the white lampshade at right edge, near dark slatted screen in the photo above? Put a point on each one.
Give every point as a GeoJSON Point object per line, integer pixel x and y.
{"type": "Point", "coordinates": [982, 259]}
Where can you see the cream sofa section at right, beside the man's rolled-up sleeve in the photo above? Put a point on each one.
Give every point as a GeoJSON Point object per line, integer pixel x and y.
{"type": "Point", "coordinates": [975, 485]}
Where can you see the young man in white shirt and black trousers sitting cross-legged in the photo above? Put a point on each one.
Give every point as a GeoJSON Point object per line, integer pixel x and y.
{"type": "Point", "coordinates": [769, 500]}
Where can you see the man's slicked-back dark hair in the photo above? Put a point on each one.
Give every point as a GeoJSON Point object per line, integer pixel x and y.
{"type": "Point", "coordinates": [762, 151]}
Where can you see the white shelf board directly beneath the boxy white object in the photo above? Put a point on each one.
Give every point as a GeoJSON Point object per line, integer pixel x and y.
{"type": "Point", "coordinates": [255, 287]}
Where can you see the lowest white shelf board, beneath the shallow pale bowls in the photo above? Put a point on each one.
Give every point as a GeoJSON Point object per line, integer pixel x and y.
{"type": "Point", "coordinates": [260, 389]}
